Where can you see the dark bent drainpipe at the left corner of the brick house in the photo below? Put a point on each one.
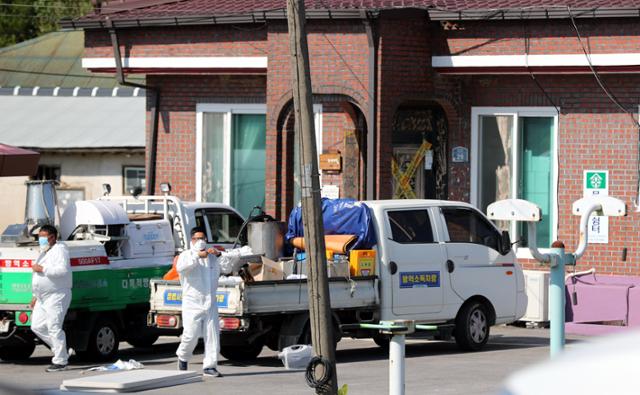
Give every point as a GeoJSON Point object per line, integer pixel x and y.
{"type": "Point", "coordinates": [155, 103]}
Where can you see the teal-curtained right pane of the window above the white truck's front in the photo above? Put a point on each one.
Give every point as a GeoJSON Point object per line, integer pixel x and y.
{"type": "Point", "coordinates": [536, 172]}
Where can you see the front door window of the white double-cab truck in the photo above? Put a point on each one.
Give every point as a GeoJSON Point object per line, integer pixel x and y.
{"type": "Point", "coordinates": [468, 226]}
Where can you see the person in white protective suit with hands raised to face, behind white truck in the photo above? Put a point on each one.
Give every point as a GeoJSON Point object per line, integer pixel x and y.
{"type": "Point", "coordinates": [199, 271]}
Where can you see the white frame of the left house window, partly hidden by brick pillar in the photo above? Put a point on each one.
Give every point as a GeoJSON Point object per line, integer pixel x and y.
{"type": "Point", "coordinates": [228, 109]}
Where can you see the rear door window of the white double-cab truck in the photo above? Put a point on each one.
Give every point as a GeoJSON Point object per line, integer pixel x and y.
{"type": "Point", "coordinates": [410, 226]}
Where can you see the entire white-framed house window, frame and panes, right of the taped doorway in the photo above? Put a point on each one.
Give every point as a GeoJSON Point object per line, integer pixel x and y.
{"type": "Point", "coordinates": [514, 156]}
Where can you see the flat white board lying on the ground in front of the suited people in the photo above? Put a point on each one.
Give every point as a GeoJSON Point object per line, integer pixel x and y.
{"type": "Point", "coordinates": [130, 381]}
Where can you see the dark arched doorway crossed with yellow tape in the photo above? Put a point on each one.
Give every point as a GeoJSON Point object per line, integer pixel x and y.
{"type": "Point", "coordinates": [419, 162]}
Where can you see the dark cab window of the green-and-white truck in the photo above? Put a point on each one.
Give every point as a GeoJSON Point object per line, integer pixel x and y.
{"type": "Point", "coordinates": [222, 225]}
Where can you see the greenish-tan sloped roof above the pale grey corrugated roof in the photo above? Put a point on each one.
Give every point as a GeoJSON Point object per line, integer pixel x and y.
{"type": "Point", "coordinates": [52, 60]}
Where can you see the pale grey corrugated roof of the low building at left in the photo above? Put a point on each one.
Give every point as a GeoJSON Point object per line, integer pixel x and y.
{"type": "Point", "coordinates": [49, 122]}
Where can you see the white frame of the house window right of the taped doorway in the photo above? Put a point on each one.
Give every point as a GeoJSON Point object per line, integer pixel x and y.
{"type": "Point", "coordinates": [516, 113]}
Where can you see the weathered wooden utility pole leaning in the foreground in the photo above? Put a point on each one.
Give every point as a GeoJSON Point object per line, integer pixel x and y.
{"type": "Point", "coordinates": [319, 301]}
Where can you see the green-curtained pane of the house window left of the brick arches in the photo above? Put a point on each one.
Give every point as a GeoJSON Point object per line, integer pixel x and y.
{"type": "Point", "coordinates": [248, 157]}
